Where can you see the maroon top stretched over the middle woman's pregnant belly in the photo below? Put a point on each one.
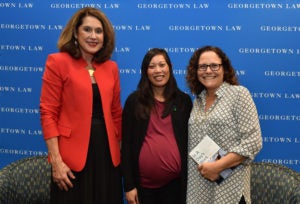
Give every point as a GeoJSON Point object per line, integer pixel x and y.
{"type": "Point", "coordinates": [159, 160]}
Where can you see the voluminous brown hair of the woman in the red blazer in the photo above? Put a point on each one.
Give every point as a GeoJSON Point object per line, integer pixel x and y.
{"type": "Point", "coordinates": [67, 41]}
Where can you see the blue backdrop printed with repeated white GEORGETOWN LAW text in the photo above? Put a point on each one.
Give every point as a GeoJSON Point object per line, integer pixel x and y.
{"type": "Point", "coordinates": [262, 38]}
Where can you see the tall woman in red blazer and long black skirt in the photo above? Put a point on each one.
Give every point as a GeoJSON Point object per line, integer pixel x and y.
{"type": "Point", "coordinates": [81, 112]}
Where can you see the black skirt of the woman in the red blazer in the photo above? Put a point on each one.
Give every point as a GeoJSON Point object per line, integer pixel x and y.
{"type": "Point", "coordinates": [99, 182]}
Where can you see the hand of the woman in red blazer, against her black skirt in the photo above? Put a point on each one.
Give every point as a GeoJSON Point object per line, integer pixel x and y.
{"type": "Point", "coordinates": [61, 175]}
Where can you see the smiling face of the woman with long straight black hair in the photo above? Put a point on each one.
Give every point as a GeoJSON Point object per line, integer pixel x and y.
{"type": "Point", "coordinates": [158, 72]}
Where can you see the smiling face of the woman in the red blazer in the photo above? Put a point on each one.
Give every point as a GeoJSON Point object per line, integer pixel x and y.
{"type": "Point", "coordinates": [90, 36]}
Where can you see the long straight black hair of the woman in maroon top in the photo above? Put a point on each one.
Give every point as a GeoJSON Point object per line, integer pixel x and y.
{"type": "Point", "coordinates": [145, 98]}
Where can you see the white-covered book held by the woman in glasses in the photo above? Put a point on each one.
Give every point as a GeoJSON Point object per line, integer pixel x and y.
{"type": "Point", "coordinates": [207, 150]}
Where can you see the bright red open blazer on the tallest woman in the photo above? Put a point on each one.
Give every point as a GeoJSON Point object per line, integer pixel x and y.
{"type": "Point", "coordinates": [66, 106]}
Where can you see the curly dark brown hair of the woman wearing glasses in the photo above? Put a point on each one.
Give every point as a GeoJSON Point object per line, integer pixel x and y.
{"type": "Point", "coordinates": [192, 80]}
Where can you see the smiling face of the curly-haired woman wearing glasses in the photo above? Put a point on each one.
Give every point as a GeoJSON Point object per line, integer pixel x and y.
{"type": "Point", "coordinates": [212, 80]}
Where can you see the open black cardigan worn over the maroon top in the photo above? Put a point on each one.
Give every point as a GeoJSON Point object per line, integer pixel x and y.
{"type": "Point", "coordinates": [134, 131]}
